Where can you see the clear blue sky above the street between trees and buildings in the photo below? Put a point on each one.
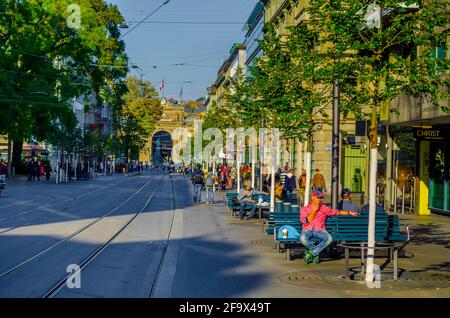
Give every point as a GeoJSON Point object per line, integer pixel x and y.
{"type": "Point", "coordinates": [204, 47]}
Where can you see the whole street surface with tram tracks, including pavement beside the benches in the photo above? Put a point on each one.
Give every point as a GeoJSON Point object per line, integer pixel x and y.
{"type": "Point", "coordinates": [170, 249]}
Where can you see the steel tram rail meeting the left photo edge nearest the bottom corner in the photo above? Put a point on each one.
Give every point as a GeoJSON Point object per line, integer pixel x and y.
{"type": "Point", "coordinates": [74, 234]}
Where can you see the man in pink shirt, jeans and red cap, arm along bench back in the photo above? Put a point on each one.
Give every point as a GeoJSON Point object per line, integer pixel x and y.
{"type": "Point", "coordinates": [313, 218]}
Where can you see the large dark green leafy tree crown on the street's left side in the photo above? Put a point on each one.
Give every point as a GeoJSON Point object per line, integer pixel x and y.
{"type": "Point", "coordinates": [44, 62]}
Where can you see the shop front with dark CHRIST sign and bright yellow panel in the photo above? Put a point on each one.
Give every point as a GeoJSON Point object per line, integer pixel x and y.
{"type": "Point", "coordinates": [431, 133]}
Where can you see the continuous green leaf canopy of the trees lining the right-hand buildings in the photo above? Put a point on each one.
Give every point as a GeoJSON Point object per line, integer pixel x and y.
{"type": "Point", "coordinates": [290, 85]}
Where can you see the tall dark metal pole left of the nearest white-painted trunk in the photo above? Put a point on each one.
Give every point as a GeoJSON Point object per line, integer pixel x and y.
{"type": "Point", "coordinates": [335, 146]}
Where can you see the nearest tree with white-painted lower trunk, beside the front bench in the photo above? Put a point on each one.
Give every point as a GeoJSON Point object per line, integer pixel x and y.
{"type": "Point", "coordinates": [394, 57]}
